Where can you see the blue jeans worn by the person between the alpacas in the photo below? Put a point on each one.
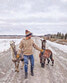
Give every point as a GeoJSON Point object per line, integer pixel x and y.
{"type": "Point", "coordinates": [31, 58]}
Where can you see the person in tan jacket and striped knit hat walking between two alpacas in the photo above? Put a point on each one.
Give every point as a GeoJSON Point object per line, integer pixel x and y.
{"type": "Point", "coordinates": [26, 46]}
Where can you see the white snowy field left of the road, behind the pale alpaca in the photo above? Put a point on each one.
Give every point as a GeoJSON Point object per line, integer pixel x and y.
{"type": "Point", "coordinates": [5, 43]}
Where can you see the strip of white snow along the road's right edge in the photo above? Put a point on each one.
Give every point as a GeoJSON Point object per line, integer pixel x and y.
{"type": "Point", "coordinates": [59, 46]}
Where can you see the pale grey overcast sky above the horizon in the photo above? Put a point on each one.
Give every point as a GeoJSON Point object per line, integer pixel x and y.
{"type": "Point", "coordinates": [38, 16]}
